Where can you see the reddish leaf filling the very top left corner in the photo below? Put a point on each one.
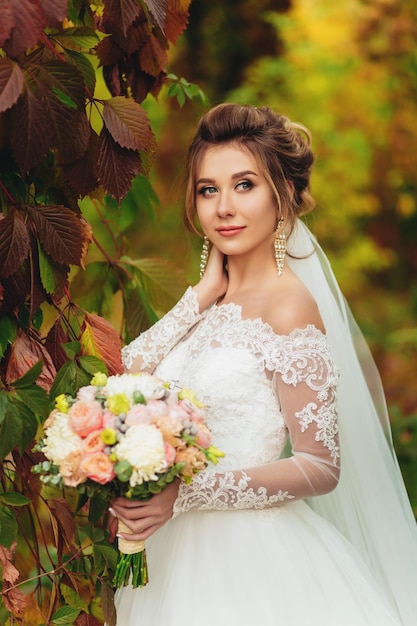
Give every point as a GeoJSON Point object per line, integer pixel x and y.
{"type": "Point", "coordinates": [28, 21]}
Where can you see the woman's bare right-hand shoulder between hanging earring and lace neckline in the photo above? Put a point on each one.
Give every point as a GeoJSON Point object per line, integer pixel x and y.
{"type": "Point", "coordinates": [292, 307]}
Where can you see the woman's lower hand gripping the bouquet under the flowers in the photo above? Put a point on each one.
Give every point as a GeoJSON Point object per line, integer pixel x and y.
{"type": "Point", "coordinates": [143, 517]}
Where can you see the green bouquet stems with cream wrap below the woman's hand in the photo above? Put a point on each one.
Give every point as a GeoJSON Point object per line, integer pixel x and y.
{"type": "Point", "coordinates": [131, 565]}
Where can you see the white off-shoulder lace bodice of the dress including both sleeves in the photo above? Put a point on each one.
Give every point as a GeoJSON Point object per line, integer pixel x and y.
{"type": "Point", "coordinates": [258, 387]}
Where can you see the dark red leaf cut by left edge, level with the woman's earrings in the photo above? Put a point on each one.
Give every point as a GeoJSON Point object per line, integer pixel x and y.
{"type": "Point", "coordinates": [14, 244]}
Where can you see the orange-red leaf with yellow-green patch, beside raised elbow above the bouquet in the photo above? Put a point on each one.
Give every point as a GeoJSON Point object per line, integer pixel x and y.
{"type": "Point", "coordinates": [99, 338]}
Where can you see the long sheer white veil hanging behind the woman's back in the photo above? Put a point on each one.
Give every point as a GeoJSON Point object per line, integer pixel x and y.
{"type": "Point", "coordinates": [370, 505]}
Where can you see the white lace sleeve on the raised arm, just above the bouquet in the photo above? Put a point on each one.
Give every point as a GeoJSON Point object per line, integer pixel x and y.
{"type": "Point", "coordinates": [146, 351]}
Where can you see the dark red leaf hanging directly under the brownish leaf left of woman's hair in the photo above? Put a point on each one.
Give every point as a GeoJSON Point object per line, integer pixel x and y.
{"type": "Point", "coordinates": [116, 166]}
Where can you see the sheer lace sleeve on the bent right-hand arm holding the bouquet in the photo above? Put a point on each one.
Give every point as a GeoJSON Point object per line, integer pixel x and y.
{"type": "Point", "coordinates": [305, 381]}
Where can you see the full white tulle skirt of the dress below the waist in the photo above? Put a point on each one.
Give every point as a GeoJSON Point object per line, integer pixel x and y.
{"type": "Point", "coordinates": [284, 566]}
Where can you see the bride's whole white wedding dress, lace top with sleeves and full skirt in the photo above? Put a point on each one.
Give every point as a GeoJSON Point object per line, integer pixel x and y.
{"type": "Point", "coordinates": [244, 547]}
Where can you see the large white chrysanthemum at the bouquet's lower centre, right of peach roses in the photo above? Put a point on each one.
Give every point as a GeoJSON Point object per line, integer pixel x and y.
{"type": "Point", "coordinates": [142, 447]}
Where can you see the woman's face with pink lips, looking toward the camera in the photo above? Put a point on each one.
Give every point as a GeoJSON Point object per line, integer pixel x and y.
{"type": "Point", "coordinates": [235, 204]}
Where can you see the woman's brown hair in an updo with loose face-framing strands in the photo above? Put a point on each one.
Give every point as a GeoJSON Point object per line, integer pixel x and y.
{"type": "Point", "coordinates": [281, 148]}
